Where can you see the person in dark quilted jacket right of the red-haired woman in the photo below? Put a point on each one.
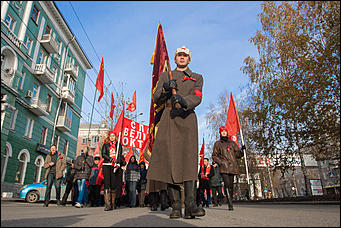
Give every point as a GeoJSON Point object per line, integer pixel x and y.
{"type": "Point", "coordinates": [132, 177]}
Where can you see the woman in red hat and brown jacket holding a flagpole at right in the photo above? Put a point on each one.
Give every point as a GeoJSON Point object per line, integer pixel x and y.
{"type": "Point", "coordinates": [225, 154]}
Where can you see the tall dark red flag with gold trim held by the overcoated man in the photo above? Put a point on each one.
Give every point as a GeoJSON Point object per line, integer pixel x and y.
{"type": "Point", "coordinates": [159, 61]}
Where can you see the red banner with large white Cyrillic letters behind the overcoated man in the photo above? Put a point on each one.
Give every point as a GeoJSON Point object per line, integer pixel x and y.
{"type": "Point", "coordinates": [134, 134]}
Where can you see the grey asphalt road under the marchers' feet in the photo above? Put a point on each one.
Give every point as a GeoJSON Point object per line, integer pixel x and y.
{"type": "Point", "coordinates": [19, 213]}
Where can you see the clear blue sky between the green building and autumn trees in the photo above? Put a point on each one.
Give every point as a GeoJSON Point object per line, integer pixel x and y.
{"type": "Point", "coordinates": [124, 33]}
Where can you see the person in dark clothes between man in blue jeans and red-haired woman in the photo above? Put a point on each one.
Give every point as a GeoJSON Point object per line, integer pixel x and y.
{"type": "Point", "coordinates": [94, 186]}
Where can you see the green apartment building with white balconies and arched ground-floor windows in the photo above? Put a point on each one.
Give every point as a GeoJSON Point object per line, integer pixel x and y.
{"type": "Point", "coordinates": [43, 69]}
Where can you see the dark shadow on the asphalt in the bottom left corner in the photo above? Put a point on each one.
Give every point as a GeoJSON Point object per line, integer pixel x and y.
{"type": "Point", "coordinates": [43, 222]}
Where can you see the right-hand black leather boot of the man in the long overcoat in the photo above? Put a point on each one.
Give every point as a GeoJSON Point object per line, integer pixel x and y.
{"type": "Point", "coordinates": [191, 209]}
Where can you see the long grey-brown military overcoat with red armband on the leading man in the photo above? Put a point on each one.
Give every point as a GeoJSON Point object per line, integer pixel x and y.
{"type": "Point", "coordinates": [174, 157]}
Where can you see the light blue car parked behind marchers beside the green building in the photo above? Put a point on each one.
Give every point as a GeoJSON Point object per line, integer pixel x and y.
{"type": "Point", "coordinates": [33, 193]}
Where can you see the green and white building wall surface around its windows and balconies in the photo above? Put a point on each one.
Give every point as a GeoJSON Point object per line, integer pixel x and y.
{"type": "Point", "coordinates": [24, 61]}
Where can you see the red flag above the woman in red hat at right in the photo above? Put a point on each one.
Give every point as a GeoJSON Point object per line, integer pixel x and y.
{"type": "Point", "coordinates": [232, 121]}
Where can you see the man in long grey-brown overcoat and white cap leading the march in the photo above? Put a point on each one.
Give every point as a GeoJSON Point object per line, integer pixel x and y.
{"type": "Point", "coordinates": [174, 159]}
